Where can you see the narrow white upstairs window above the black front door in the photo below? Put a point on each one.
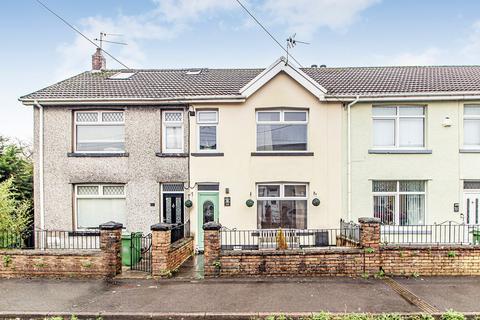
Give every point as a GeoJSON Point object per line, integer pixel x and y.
{"type": "Point", "coordinates": [172, 137]}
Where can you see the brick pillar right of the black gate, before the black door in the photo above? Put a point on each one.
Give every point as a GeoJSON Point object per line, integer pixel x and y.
{"type": "Point", "coordinates": [161, 238]}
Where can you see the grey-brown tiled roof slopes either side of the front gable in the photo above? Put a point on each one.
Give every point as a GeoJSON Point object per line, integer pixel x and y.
{"type": "Point", "coordinates": [176, 83]}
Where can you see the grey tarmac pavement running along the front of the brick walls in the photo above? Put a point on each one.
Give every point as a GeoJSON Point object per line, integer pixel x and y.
{"type": "Point", "coordinates": [273, 295]}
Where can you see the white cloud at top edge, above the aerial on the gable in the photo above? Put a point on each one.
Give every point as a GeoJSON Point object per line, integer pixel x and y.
{"type": "Point", "coordinates": [306, 16]}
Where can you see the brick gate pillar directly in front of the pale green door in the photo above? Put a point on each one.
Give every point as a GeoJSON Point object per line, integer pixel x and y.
{"type": "Point", "coordinates": [211, 249]}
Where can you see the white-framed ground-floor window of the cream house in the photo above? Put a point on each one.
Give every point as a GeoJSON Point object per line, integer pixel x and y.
{"type": "Point", "coordinates": [282, 205]}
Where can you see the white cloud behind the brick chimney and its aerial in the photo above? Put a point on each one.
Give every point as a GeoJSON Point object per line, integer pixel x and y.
{"type": "Point", "coordinates": [165, 21]}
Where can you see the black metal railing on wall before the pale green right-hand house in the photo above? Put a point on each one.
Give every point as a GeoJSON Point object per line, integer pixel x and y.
{"type": "Point", "coordinates": [447, 233]}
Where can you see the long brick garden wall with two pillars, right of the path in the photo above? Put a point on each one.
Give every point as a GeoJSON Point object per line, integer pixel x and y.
{"type": "Point", "coordinates": [369, 258]}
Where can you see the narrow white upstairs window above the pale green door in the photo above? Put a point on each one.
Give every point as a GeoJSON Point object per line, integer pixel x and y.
{"type": "Point", "coordinates": [207, 121]}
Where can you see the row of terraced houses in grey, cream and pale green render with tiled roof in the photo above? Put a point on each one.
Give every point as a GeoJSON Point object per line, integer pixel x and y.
{"type": "Point", "coordinates": [257, 148]}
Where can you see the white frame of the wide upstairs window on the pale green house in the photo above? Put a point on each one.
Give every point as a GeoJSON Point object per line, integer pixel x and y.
{"type": "Point", "coordinates": [396, 119]}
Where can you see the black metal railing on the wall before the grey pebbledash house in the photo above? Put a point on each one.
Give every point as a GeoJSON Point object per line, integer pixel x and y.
{"type": "Point", "coordinates": [51, 239]}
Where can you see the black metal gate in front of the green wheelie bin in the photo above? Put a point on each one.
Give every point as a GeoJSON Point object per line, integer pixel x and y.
{"type": "Point", "coordinates": [141, 252]}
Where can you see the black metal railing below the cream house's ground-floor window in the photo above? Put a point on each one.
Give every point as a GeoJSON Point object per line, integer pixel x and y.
{"type": "Point", "coordinates": [233, 239]}
